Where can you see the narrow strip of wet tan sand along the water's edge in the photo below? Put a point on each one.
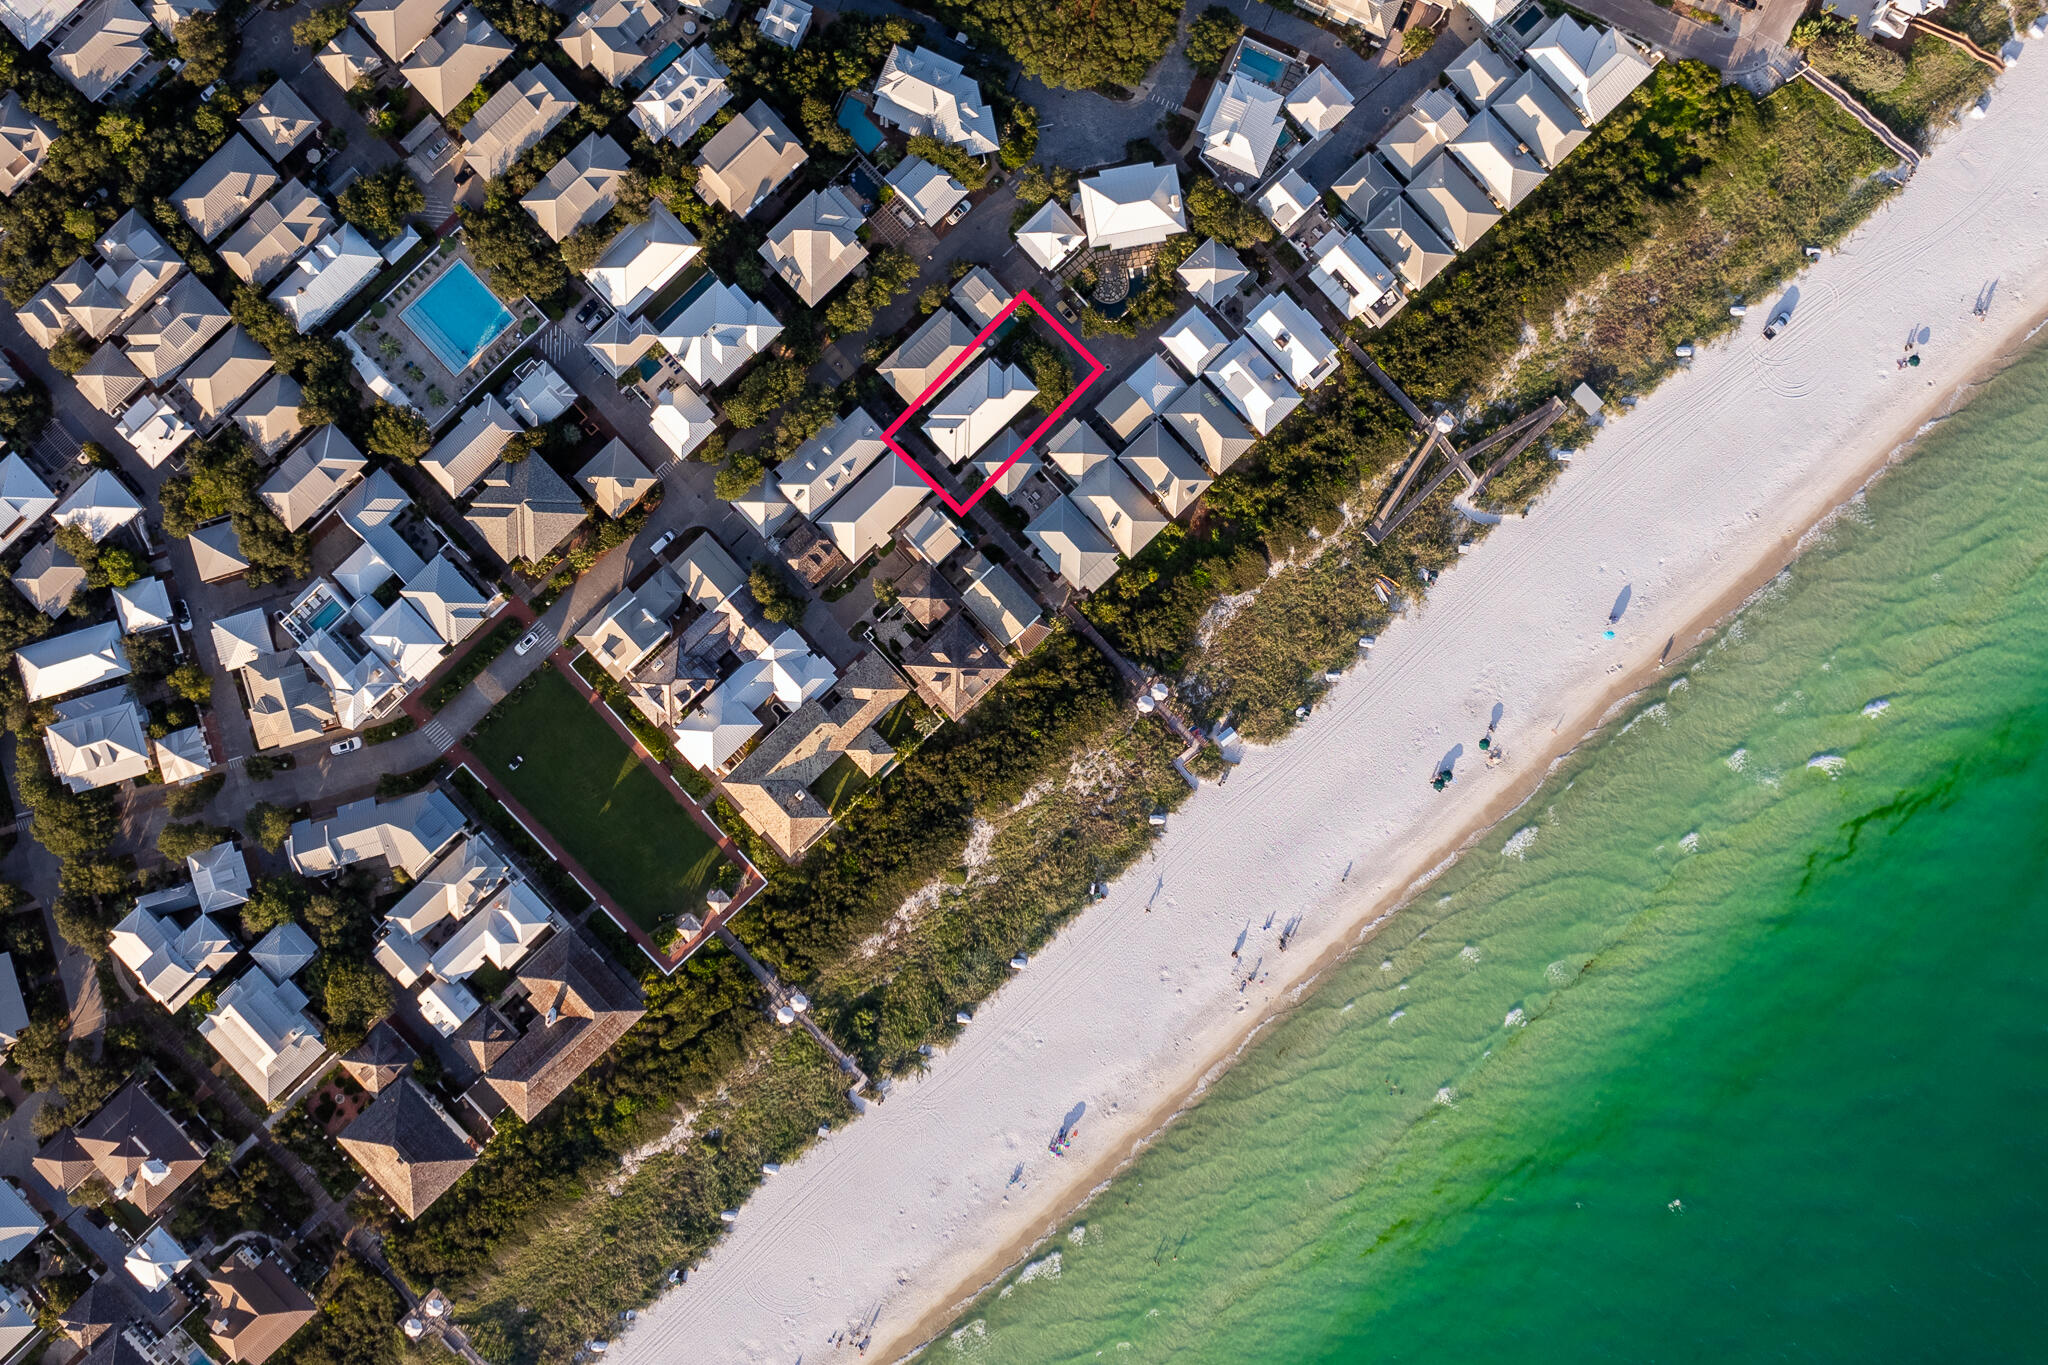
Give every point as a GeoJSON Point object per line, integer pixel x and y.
{"type": "Point", "coordinates": [1095, 1180]}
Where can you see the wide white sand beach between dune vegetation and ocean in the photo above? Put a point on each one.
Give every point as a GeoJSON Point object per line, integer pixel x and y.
{"type": "Point", "coordinates": [1689, 502]}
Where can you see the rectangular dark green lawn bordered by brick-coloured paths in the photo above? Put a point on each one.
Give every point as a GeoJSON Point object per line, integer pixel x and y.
{"type": "Point", "coordinates": [599, 801]}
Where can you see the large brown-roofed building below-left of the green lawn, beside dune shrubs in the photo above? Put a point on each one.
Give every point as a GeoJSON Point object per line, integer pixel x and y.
{"type": "Point", "coordinates": [581, 1010]}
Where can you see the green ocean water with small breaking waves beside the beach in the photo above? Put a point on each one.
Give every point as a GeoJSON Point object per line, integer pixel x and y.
{"type": "Point", "coordinates": [1730, 1047]}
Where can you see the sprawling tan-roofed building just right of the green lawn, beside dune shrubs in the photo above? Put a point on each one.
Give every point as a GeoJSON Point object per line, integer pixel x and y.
{"type": "Point", "coordinates": [773, 785]}
